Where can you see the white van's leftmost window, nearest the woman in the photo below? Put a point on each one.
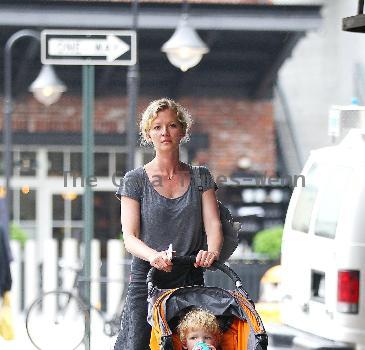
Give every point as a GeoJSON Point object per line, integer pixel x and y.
{"type": "Point", "coordinates": [307, 197]}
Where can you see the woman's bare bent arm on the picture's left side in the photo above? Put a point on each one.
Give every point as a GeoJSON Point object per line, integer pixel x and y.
{"type": "Point", "coordinates": [130, 219]}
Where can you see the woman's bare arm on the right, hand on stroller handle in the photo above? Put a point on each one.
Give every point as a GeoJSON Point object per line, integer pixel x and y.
{"type": "Point", "coordinates": [213, 230]}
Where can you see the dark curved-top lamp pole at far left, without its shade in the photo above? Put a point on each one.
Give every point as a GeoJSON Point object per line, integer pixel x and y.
{"type": "Point", "coordinates": [8, 110]}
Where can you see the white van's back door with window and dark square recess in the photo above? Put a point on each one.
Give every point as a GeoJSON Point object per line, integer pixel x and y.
{"type": "Point", "coordinates": [329, 208]}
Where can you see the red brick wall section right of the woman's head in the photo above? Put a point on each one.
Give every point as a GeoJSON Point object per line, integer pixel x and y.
{"type": "Point", "coordinates": [236, 128]}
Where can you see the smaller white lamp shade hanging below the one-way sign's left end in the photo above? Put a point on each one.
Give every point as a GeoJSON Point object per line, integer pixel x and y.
{"type": "Point", "coordinates": [47, 88]}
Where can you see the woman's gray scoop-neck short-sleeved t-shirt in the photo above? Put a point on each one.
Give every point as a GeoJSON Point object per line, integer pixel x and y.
{"type": "Point", "coordinates": [165, 220]}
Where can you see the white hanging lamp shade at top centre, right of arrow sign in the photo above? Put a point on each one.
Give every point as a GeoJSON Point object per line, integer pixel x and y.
{"type": "Point", "coordinates": [185, 48]}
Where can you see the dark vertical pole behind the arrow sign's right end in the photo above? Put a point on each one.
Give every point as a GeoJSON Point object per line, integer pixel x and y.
{"type": "Point", "coordinates": [132, 90]}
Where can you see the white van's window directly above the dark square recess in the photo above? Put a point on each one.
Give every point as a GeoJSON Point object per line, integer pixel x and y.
{"type": "Point", "coordinates": [330, 201]}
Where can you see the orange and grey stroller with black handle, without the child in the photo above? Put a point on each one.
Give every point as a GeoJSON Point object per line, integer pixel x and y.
{"type": "Point", "coordinates": [241, 325]}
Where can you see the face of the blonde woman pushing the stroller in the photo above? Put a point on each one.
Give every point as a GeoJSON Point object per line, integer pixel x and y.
{"type": "Point", "coordinates": [166, 131]}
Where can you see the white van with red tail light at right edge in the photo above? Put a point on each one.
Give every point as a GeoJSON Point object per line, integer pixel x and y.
{"type": "Point", "coordinates": [323, 249]}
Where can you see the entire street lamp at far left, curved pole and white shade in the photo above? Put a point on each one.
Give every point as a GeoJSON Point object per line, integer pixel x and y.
{"type": "Point", "coordinates": [8, 108]}
